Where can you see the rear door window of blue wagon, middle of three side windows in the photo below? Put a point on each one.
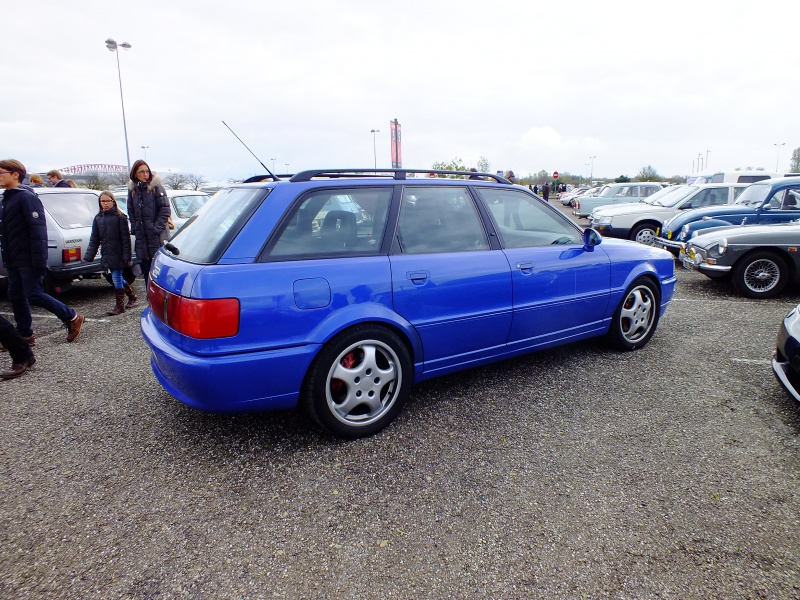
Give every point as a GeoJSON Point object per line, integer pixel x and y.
{"type": "Point", "coordinates": [439, 219]}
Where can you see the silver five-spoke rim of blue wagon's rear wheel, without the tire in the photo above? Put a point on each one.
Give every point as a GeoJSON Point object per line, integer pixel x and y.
{"type": "Point", "coordinates": [363, 383]}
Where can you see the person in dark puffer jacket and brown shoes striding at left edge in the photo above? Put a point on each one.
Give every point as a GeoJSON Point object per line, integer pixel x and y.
{"type": "Point", "coordinates": [23, 243]}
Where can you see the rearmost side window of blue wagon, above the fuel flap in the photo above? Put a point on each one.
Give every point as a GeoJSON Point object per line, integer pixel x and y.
{"type": "Point", "coordinates": [335, 222]}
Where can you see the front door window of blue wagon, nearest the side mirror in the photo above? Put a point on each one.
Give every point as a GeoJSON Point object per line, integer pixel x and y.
{"type": "Point", "coordinates": [525, 222]}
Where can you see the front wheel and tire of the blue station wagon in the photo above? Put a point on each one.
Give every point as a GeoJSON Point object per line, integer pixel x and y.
{"type": "Point", "coordinates": [636, 318]}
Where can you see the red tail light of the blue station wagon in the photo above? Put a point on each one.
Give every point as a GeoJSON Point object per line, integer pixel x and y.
{"type": "Point", "coordinates": [193, 317]}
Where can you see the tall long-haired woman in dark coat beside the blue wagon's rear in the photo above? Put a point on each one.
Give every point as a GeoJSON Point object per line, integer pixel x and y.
{"type": "Point", "coordinates": [148, 209]}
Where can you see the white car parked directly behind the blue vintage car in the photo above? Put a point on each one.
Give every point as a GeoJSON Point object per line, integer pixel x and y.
{"type": "Point", "coordinates": [640, 221]}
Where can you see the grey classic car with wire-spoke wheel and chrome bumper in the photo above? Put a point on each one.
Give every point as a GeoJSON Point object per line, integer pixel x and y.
{"type": "Point", "coordinates": [760, 260]}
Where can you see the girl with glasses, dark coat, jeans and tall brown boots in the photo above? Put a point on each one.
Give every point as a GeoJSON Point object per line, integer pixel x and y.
{"type": "Point", "coordinates": [111, 232]}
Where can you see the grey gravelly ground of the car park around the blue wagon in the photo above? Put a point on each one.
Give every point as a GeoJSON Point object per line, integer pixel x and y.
{"type": "Point", "coordinates": [671, 472]}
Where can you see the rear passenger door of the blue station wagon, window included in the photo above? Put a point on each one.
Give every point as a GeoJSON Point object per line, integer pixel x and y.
{"type": "Point", "coordinates": [447, 281]}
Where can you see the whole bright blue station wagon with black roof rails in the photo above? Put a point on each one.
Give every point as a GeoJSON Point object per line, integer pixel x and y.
{"type": "Point", "coordinates": [337, 290]}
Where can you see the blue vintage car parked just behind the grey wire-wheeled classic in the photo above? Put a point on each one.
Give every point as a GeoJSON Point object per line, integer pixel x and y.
{"type": "Point", "coordinates": [765, 202]}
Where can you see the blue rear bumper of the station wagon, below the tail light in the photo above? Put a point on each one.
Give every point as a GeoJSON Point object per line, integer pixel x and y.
{"type": "Point", "coordinates": [243, 382]}
